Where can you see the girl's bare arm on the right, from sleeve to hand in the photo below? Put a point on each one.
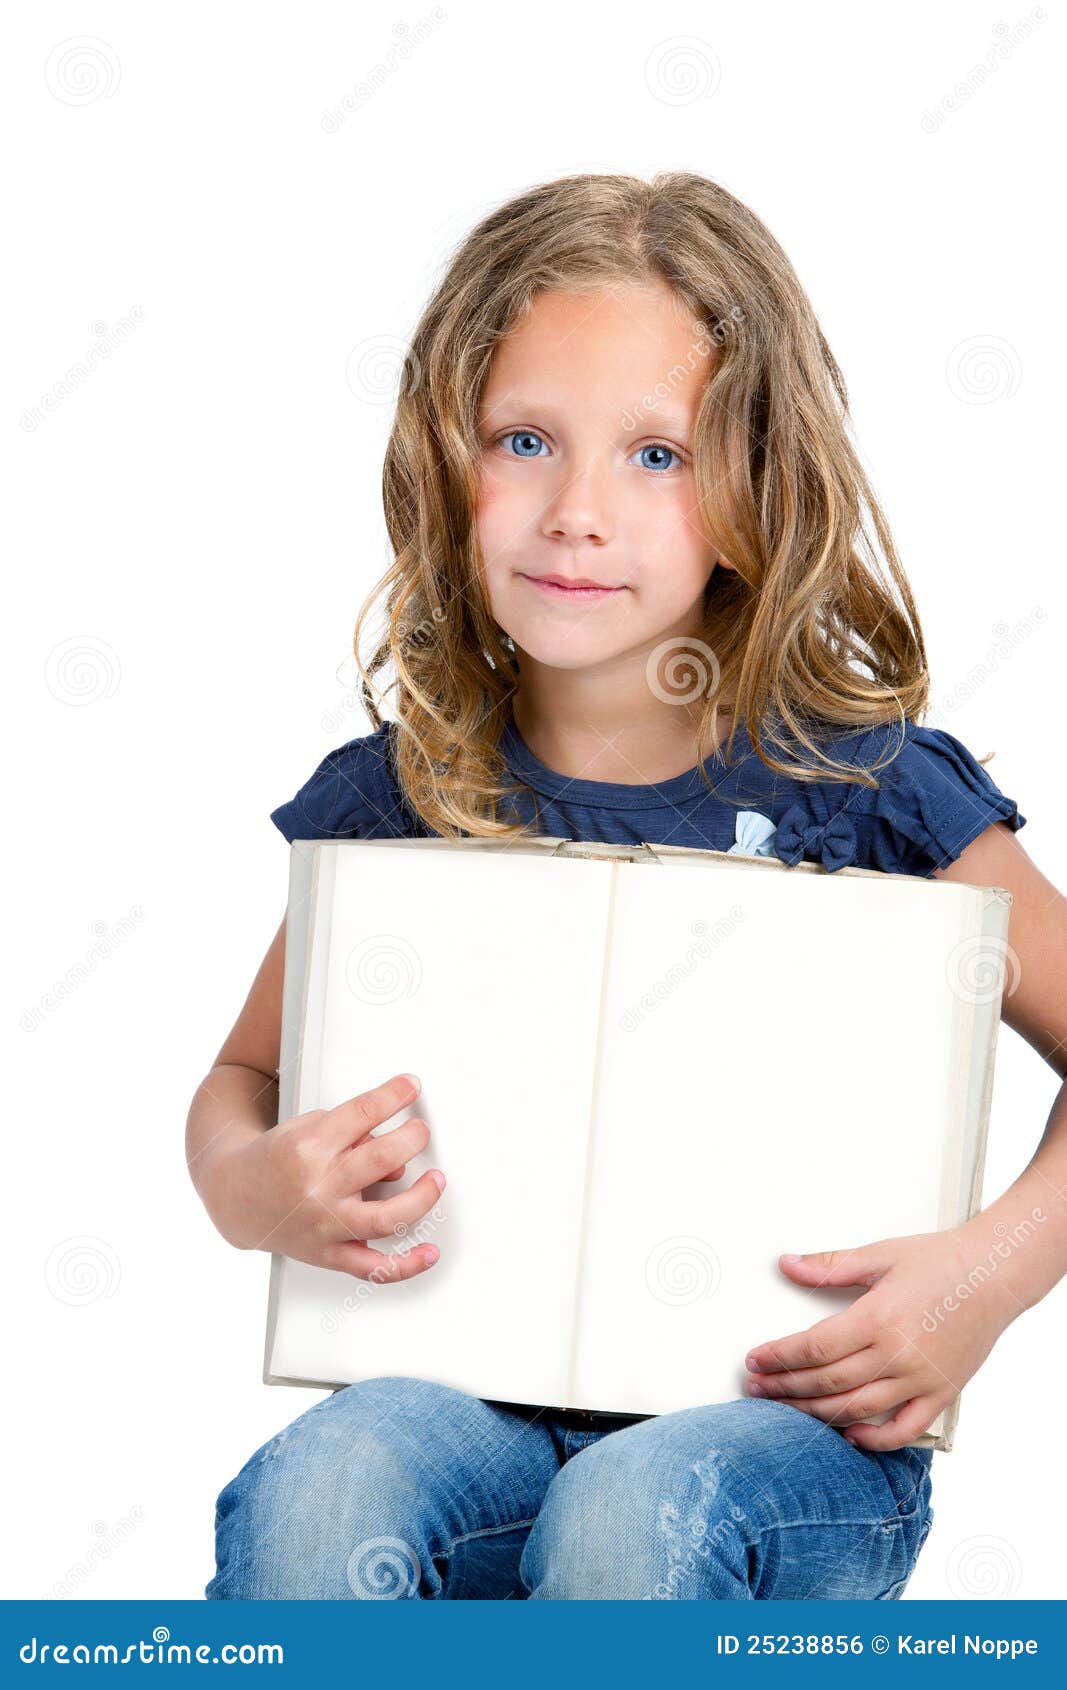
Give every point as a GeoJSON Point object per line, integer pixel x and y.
{"type": "Point", "coordinates": [938, 1304]}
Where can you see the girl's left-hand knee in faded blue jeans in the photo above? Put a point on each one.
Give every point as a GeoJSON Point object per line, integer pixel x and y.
{"type": "Point", "coordinates": [329, 1508]}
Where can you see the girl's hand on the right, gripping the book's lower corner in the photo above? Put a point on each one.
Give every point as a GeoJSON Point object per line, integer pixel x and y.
{"type": "Point", "coordinates": [909, 1344]}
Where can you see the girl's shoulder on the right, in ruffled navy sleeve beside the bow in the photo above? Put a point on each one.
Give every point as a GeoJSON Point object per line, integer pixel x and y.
{"type": "Point", "coordinates": [933, 800]}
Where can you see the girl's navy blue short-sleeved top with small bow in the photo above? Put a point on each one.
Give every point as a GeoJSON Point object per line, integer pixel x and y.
{"type": "Point", "coordinates": [934, 800]}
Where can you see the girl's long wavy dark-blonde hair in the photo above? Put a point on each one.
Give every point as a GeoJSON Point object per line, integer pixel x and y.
{"type": "Point", "coordinates": [807, 631]}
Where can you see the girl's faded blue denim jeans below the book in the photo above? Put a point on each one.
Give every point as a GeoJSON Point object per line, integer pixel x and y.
{"type": "Point", "coordinates": [402, 1488]}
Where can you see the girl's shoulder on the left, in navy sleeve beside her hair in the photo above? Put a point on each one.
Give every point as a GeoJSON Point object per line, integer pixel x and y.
{"type": "Point", "coordinates": [353, 793]}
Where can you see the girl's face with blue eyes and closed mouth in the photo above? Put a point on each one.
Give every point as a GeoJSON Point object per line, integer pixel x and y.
{"type": "Point", "coordinates": [586, 432]}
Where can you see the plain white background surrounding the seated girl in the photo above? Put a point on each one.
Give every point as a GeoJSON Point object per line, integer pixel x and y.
{"type": "Point", "coordinates": [195, 525]}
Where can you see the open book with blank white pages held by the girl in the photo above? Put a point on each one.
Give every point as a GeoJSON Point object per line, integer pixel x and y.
{"type": "Point", "coordinates": [647, 1071]}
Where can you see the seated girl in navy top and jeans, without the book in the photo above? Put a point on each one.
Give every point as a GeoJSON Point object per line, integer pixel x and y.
{"type": "Point", "coordinates": [625, 510]}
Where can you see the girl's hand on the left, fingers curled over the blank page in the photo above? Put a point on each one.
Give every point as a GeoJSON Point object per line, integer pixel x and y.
{"type": "Point", "coordinates": [298, 1187]}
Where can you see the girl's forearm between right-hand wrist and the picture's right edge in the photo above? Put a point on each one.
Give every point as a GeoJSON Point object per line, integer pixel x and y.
{"type": "Point", "coordinates": [1020, 1240]}
